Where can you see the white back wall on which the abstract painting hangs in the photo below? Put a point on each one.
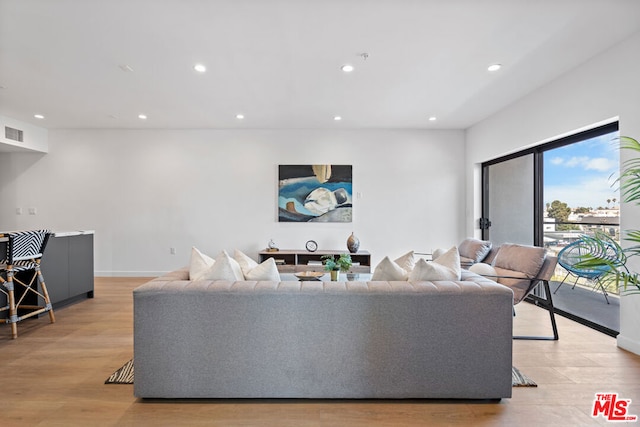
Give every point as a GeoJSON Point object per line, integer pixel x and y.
{"type": "Point", "coordinates": [146, 191]}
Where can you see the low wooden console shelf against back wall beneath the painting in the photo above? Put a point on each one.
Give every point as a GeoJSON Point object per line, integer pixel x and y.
{"type": "Point", "coordinates": [291, 260]}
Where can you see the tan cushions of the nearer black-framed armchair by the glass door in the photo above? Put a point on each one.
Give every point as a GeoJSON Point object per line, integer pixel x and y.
{"type": "Point", "coordinates": [518, 261]}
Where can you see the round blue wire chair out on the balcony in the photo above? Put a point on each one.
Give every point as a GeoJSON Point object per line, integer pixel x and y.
{"type": "Point", "coordinates": [572, 254]}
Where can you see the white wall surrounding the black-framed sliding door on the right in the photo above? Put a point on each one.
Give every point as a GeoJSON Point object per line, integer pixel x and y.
{"type": "Point", "coordinates": [606, 87]}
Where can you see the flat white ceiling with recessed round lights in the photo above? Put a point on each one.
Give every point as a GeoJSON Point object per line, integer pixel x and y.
{"type": "Point", "coordinates": [278, 61]}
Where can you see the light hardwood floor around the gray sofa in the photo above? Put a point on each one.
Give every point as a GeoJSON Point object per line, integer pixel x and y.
{"type": "Point", "coordinates": [54, 375]}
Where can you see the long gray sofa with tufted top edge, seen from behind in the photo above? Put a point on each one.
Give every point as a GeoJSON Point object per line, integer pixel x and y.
{"type": "Point", "coordinates": [353, 340]}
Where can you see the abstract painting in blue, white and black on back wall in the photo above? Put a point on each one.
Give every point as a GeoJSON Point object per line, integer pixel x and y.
{"type": "Point", "coordinates": [315, 193]}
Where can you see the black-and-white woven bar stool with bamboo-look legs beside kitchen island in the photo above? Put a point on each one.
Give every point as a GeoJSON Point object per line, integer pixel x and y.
{"type": "Point", "coordinates": [24, 253]}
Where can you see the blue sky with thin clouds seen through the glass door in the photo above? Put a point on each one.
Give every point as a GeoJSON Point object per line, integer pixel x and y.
{"type": "Point", "coordinates": [581, 174]}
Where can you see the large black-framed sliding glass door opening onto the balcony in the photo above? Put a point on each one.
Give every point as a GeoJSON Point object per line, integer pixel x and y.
{"type": "Point", "coordinates": [549, 196]}
